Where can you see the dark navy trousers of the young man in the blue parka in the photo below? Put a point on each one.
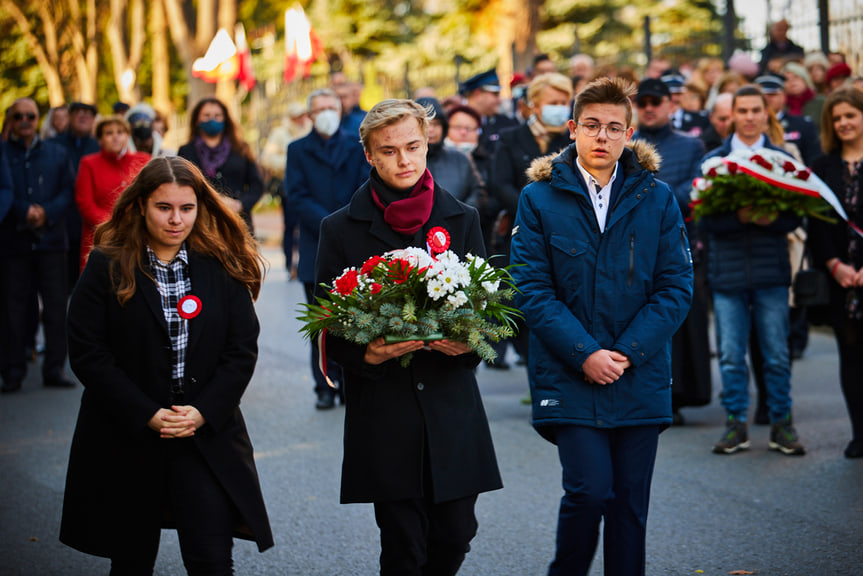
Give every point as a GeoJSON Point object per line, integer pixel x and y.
{"type": "Point", "coordinates": [606, 476]}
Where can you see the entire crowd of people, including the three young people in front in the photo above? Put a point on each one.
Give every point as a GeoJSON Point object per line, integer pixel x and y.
{"type": "Point", "coordinates": [581, 179]}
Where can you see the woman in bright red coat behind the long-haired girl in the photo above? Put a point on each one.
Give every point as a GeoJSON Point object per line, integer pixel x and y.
{"type": "Point", "coordinates": [103, 175]}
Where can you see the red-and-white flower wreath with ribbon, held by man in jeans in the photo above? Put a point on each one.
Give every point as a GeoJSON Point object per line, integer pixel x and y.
{"type": "Point", "coordinates": [765, 181]}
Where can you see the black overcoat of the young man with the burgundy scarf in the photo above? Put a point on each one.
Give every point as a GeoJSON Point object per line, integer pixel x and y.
{"type": "Point", "coordinates": [393, 415]}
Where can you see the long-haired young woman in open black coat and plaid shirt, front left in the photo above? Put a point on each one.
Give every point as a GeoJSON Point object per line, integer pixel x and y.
{"type": "Point", "coordinates": [163, 336]}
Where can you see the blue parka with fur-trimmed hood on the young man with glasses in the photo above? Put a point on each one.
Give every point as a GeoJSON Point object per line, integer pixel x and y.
{"type": "Point", "coordinates": [627, 289]}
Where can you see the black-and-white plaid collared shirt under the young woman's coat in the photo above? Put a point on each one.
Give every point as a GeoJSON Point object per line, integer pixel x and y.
{"type": "Point", "coordinates": [173, 282]}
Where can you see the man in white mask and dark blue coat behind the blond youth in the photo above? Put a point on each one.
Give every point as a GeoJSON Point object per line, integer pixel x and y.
{"type": "Point", "coordinates": [323, 171]}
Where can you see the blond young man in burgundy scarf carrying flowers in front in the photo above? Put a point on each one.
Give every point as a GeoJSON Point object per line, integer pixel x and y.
{"type": "Point", "coordinates": [416, 441]}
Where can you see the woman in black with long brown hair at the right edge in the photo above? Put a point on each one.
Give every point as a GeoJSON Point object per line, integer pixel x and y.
{"type": "Point", "coordinates": [839, 249]}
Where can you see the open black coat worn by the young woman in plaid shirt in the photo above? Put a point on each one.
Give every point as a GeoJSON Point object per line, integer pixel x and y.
{"type": "Point", "coordinates": [122, 355]}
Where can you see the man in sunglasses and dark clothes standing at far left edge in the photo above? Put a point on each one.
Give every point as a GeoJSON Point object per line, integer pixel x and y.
{"type": "Point", "coordinates": [34, 242]}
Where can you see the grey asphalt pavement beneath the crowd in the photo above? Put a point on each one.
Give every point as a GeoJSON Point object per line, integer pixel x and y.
{"type": "Point", "coordinates": [756, 511]}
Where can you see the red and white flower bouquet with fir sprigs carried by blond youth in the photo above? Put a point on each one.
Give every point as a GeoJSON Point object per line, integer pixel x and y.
{"type": "Point", "coordinates": [417, 294]}
